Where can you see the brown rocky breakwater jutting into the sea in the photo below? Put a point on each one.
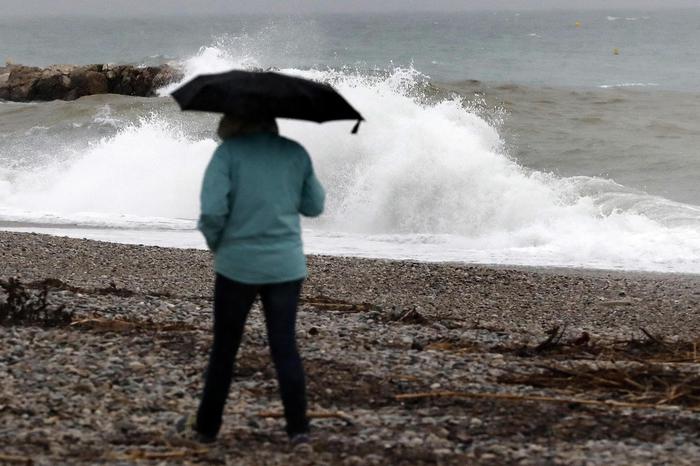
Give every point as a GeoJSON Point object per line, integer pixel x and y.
{"type": "Point", "coordinates": [20, 83]}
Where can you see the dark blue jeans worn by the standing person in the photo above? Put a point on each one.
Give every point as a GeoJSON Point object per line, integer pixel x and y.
{"type": "Point", "coordinates": [232, 302]}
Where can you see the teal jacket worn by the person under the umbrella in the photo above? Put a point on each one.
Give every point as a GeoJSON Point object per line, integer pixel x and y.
{"type": "Point", "coordinates": [254, 189]}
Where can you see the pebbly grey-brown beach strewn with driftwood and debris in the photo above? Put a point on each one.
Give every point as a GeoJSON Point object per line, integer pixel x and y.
{"type": "Point", "coordinates": [407, 363]}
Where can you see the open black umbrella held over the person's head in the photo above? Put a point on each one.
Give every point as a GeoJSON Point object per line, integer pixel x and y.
{"type": "Point", "coordinates": [262, 95]}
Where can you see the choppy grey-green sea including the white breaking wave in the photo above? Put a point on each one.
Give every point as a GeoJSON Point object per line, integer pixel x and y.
{"type": "Point", "coordinates": [561, 153]}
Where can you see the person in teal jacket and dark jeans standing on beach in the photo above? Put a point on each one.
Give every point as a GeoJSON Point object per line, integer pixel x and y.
{"type": "Point", "coordinates": [255, 188]}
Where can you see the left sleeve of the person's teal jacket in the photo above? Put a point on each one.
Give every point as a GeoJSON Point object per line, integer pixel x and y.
{"type": "Point", "coordinates": [215, 200]}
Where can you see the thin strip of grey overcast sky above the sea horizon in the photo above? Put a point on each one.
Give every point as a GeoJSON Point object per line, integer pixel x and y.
{"type": "Point", "coordinates": [137, 7]}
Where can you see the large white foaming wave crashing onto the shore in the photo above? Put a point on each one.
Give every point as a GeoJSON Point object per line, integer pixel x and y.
{"type": "Point", "coordinates": [426, 177]}
